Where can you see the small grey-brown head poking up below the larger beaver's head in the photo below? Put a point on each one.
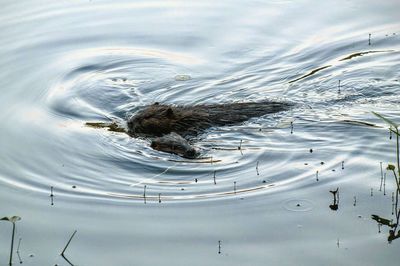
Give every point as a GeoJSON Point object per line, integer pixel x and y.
{"type": "Point", "coordinates": [174, 143]}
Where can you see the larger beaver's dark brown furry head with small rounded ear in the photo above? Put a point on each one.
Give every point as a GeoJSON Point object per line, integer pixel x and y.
{"type": "Point", "coordinates": [155, 120]}
